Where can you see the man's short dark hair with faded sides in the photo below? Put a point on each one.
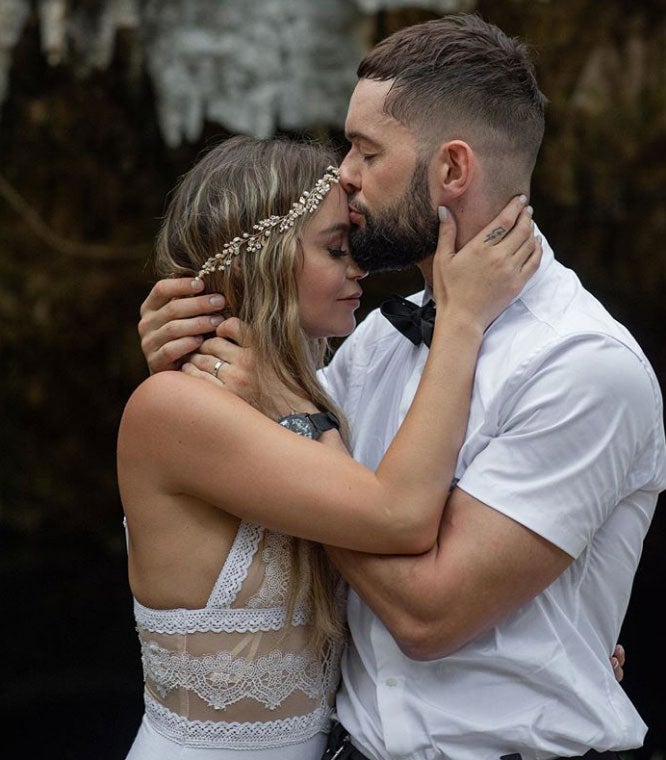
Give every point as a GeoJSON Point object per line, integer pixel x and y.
{"type": "Point", "coordinates": [459, 77]}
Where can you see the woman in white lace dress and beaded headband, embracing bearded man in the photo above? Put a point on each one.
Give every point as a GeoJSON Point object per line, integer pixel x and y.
{"type": "Point", "coordinates": [237, 607]}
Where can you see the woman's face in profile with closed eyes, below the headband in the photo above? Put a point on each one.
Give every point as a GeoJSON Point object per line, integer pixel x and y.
{"type": "Point", "coordinates": [328, 289]}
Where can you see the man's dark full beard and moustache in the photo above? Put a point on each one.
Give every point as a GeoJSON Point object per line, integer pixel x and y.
{"type": "Point", "coordinates": [399, 236]}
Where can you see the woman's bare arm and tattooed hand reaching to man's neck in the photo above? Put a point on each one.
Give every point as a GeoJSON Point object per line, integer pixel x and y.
{"type": "Point", "coordinates": [182, 436]}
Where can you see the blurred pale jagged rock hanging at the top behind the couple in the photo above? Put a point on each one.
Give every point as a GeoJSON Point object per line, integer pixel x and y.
{"type": "Point", "coordinates": [253, 66]}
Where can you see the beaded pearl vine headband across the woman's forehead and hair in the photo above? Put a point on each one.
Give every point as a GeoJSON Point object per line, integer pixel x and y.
{"type": "Point", "coordinates": [306, 204]}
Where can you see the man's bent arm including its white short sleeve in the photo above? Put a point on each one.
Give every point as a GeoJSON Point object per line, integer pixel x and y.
{"type": "Point", "coordinates": [554, 470]}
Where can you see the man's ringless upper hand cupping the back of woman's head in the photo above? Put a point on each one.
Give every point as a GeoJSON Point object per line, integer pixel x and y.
{"type": "Point", "coordinates": [174, 321]}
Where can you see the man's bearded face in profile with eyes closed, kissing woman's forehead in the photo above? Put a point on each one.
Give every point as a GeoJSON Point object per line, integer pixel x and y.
{"type": "Point", "coordinates": [391, 209]}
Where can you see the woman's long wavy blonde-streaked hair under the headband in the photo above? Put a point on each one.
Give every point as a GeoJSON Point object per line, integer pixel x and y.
{"type": "Point", "coordinates": [235, 185]}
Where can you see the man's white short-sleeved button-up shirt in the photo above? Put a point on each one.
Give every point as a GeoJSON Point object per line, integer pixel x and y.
{"type": "Point", "coordinates": [566, 437]}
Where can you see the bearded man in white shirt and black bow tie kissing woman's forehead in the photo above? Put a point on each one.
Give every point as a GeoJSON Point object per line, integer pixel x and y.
{"type": "Point", "coordinates": [495, 643]}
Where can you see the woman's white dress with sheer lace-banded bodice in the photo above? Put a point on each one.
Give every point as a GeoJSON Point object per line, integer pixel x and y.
{"type": "Point", "coordinates": [234, 679]}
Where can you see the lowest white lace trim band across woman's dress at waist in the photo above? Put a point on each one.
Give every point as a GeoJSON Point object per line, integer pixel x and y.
{"type": "Point", "coordinates": [256, 735]}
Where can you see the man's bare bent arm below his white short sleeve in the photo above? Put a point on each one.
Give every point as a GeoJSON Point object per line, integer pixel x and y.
{"type": "Point", "coordinates": [484, 566]}
